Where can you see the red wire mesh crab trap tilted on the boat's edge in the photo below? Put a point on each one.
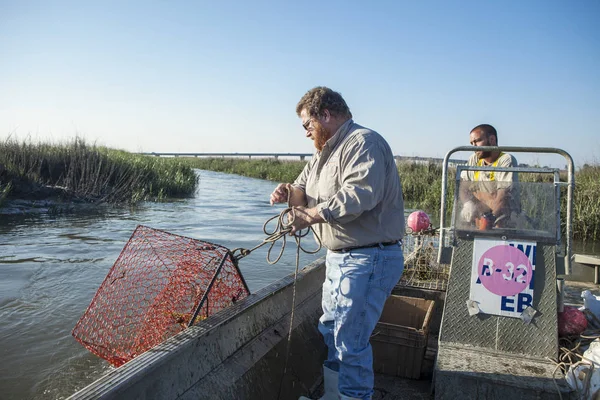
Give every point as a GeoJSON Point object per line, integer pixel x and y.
{"type": "Point", "coordinates": [160, 284]}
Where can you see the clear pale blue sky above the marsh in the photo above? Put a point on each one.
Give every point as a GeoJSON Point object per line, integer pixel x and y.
{"type": "Point", "coordinates": [210, 76]}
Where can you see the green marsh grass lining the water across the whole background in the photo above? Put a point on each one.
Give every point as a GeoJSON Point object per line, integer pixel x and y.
{"type": "Point", "coordinates": [80, 171]}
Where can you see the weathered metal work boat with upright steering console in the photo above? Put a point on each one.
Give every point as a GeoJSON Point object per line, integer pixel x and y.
{"type": "Point", "coordinates": [243, 351]}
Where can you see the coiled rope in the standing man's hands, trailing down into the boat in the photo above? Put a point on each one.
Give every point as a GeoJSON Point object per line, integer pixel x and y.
{"type": "Point", "coordinates": [282, 230]}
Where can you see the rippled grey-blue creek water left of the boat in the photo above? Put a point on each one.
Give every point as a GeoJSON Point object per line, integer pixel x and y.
{"type": "Point", "coordinates": [51, 266]}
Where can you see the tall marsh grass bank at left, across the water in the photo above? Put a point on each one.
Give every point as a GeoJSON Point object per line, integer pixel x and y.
{"type": "Point", "coordinates": [77, 171]}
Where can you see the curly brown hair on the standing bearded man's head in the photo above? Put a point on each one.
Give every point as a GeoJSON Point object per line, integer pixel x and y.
{"type": "Point", "coordinates": [321, 98]}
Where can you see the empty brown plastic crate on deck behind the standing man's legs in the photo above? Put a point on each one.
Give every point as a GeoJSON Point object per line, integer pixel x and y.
{"type": "Point", "coordinates": [399, 339]}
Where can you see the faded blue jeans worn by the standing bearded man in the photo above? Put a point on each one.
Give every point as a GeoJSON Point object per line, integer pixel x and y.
{"type": "Point", "coordinates": [357, 283]}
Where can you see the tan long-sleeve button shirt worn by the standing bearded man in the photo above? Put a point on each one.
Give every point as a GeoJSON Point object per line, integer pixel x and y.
{"type": "Point", "coordinates": [355, 186]}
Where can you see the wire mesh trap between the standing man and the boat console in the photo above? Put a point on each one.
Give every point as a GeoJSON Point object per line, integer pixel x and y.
{"type": "Point", "coordinates": [421, 268]}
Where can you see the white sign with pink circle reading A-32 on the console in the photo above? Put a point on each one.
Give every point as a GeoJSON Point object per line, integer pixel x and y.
{"type": "Point", "coordinates": [502, 276]}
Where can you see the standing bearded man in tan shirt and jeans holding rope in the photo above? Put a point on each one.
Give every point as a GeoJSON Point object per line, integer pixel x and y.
{"type": "Point", "coordinates": [351, 194]}
